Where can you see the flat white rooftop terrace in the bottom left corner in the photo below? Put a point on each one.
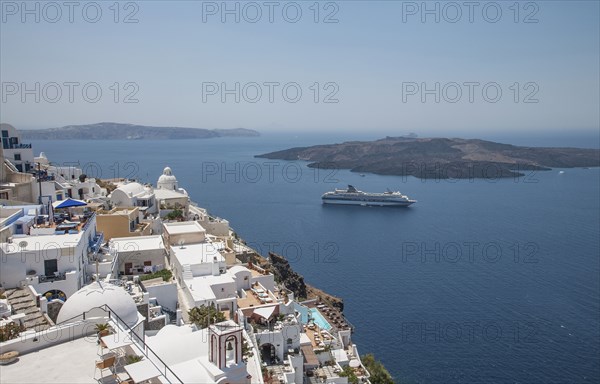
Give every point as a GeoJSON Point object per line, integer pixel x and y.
{"type": "Point", "coordinates": [71, 362]}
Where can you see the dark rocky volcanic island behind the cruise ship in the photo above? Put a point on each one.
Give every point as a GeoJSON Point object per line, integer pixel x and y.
{"type": "Point", "coordinates": [438, 158]}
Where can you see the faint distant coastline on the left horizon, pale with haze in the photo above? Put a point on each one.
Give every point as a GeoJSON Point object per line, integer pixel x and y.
{"type": "Point", "coordinates": [120, 131]}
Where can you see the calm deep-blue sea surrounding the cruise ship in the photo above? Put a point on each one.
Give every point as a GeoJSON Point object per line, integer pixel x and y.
{"type": "Point", "coordinates": [479, 282]}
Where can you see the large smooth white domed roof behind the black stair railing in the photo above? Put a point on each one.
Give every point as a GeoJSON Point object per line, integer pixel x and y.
{"type": "Point", "coordinates": [96, 295]}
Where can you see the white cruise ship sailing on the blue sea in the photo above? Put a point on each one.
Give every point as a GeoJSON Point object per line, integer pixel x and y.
{"type": "Point", "coordinates": [352, 196]}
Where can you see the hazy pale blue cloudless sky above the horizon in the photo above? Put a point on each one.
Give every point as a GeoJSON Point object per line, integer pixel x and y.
{"type": "Point", "coordinates": [381, 61]}
